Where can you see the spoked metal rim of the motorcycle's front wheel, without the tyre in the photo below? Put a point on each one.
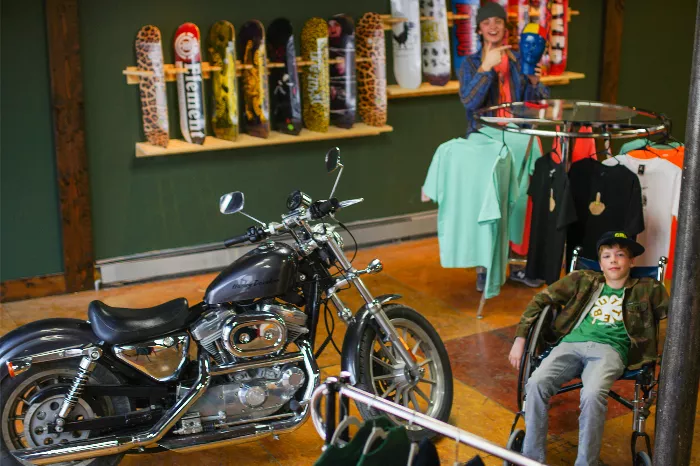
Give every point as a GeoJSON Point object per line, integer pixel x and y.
{"type": "Point", "coordinates": [390, 379]}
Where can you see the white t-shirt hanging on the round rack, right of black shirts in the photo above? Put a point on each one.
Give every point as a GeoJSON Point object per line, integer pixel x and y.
{"type": "Point", "coordinates": [661, 188]}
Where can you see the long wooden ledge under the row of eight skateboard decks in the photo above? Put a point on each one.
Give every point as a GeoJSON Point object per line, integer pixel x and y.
{"type": "Point", "coordinates": [177, 146]}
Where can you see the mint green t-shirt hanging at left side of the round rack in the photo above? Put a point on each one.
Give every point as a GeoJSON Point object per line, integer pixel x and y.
{"type": "Point", "coordinates": [473, 183]}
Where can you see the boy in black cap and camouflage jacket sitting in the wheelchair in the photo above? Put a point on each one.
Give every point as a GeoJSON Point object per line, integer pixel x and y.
{"type": "Point", "coordinates": [607, 322]}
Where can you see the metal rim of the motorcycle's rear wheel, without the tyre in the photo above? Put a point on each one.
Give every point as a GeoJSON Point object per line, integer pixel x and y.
{"type": "Point", "coordinates": [24, 424]}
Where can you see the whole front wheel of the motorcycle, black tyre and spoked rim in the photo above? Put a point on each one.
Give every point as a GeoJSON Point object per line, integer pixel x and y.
{"type": "Point", "coordinates": [381, 369]}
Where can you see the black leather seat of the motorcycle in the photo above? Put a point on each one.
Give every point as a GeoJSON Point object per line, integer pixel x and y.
{"type": "Point", "coordinates": [117, 325]}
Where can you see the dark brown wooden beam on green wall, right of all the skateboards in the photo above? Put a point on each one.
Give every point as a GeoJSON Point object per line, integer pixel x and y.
{"type": "Point", "coordinates": [612, 47]}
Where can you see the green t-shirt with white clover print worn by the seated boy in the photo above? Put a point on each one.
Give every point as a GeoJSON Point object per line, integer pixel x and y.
{"type": "Point", "coordinates": [604, 323]}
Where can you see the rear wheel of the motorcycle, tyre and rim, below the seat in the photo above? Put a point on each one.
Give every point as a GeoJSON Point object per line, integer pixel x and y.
{"type": "Point", "coordinates": [21, 422]}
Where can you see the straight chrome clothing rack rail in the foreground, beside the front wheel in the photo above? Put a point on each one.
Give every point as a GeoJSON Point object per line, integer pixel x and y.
{"type": "Point", "coordinates": [340, 389]}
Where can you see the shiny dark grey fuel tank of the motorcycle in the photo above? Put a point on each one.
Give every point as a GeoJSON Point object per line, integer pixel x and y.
{"type": "Point", "coordinates": [266, 271]}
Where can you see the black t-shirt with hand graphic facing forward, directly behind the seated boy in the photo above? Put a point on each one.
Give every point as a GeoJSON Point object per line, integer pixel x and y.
{"type": "Point", "coordinates": [620, 193]}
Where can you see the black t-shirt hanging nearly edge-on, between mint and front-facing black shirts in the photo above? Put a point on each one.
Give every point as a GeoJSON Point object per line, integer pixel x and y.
{"type": "Point", "coordinates": [548, 226]}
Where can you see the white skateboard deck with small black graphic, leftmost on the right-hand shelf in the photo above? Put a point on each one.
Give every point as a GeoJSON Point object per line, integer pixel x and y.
{"type": "Point", "coordinates": [406, 43]}
